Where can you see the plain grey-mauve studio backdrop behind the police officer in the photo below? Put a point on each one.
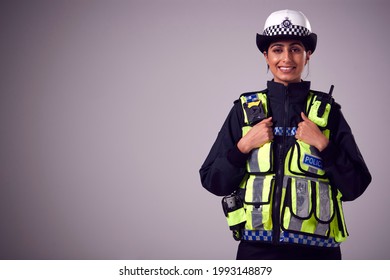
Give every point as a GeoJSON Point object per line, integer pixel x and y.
{"type": "Point", "coordinates": [108, 109]}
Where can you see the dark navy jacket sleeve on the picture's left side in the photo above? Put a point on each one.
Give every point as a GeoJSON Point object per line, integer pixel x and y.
{"type": "Point", "coordinates": [224, 168]}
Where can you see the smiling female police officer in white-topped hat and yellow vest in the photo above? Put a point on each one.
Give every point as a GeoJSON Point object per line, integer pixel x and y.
{"type": "Point", "coordinates": [285, 158]}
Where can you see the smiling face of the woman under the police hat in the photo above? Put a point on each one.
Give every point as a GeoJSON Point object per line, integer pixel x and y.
{"type": "Point", "coordinates": [286, 60]}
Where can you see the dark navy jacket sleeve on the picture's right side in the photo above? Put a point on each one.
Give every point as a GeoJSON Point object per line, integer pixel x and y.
{"type": "Point", "coordinates": [343, 162]}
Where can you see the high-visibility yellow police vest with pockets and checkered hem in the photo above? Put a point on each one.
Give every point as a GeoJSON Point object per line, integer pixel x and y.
{"type": "Point", "coordinates": [296, 204]}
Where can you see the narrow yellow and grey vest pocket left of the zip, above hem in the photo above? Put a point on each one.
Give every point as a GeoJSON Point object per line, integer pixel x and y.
{"type": "Point", "coordinates": [258, 202]}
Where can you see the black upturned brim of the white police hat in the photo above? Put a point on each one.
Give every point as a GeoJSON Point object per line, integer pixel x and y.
{"type": "Point", "coordinates": [310, 41]}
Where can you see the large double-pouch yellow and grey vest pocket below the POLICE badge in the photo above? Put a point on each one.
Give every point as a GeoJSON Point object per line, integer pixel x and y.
{"type": "Point", "coordinates": [308, 207]}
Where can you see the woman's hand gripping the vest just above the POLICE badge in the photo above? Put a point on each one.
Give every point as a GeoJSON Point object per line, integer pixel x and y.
{"type": "Point", "coordinates": [309, 133]}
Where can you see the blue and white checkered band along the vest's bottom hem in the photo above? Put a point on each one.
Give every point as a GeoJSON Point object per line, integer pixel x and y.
{"type": "Point", "coordinates": [266, 236]}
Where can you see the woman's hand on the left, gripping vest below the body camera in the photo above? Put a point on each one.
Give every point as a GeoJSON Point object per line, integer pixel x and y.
{"type": "Point", "coordinates": [257, 136]}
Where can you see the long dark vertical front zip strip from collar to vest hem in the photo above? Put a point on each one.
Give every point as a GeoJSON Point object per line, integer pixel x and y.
{"type": "Point", "coordinates": [277, 198]}
